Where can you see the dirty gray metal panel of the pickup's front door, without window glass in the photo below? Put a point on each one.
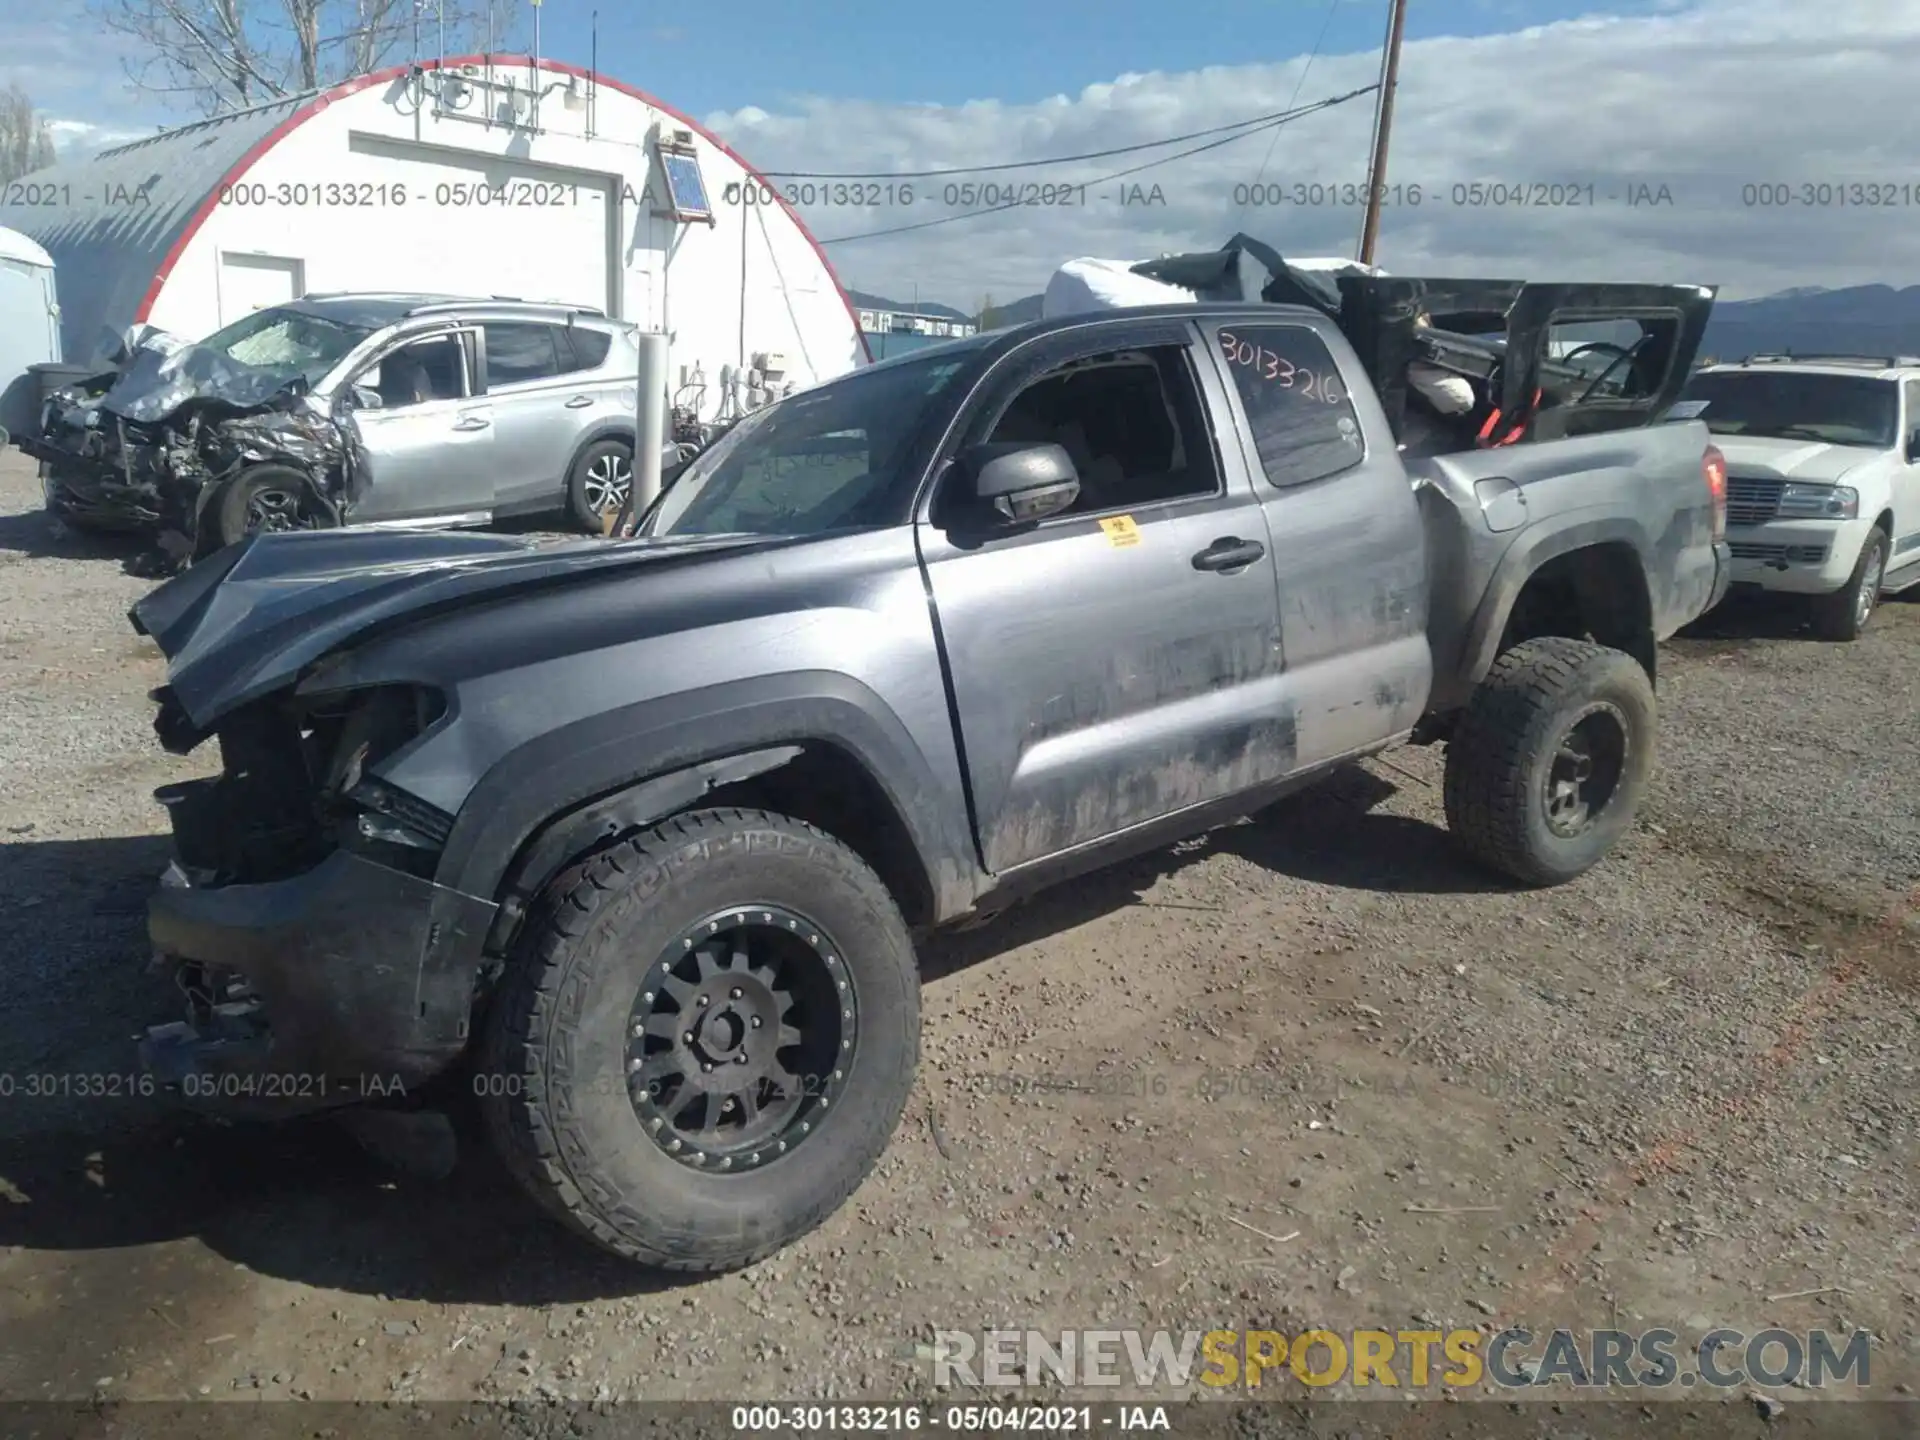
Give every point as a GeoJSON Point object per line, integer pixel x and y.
{"type": "Point", "coordinates": [1101, 681]}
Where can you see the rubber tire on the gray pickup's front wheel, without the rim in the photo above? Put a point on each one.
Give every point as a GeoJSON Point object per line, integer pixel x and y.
{"type": "Point", "coordinates": [552, 1072]}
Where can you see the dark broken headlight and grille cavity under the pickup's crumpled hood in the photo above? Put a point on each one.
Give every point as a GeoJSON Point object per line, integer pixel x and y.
{"type": "Point", "coordinates": [297, 786]}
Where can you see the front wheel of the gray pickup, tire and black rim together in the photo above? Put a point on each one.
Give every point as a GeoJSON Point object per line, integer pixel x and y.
{"type": "Point", "coordinates": [706, 1040]}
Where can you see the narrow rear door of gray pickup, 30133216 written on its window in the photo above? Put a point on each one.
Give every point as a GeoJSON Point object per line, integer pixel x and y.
{"type": "Point", "coordinates": [1343, 527]}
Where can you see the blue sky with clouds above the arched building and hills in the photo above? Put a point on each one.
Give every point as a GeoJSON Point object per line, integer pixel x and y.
{"type": "Point", "coordinates": [1694, 101]}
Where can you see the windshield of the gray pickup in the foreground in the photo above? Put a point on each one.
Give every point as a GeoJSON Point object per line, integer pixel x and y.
{"type": "Point", "coordinates": [825, 460]}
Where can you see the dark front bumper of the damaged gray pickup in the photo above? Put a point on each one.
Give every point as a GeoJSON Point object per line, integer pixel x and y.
{"type": "Point", "coordinates": [358, 978]}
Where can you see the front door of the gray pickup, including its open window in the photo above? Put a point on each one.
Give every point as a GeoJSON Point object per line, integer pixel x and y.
{"type": "Point", "coordinates": [1115, 663]}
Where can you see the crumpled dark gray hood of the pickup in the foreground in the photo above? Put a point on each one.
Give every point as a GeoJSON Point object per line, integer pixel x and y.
{"type": "Point", "coordinates": [252, 617]}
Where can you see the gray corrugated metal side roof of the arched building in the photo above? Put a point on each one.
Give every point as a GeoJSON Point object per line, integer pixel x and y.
{"type": "Point", "coordinates": [112, 218]}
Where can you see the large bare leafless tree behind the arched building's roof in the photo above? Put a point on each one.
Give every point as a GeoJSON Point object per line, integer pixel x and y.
{"type": "Point", "coordinates": [228, 55]}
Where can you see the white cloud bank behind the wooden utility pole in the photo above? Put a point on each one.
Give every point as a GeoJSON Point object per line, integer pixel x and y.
{"type": "Point", "coordinates": [1704, 99]}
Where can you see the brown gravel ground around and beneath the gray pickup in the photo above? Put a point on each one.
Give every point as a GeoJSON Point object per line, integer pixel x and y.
{"type": "Point", "coordinates": [1658, 1097]}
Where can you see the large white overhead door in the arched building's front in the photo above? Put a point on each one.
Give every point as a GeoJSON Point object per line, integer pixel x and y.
{"type": "Point", "coordinates": [481, 226]}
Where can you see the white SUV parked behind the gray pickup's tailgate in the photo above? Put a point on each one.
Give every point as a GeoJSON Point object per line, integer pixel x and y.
{"type": "Point", "coordinates": [1823, 477]}
